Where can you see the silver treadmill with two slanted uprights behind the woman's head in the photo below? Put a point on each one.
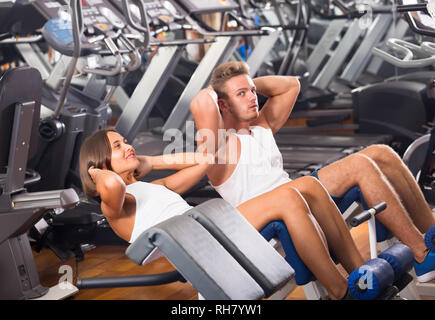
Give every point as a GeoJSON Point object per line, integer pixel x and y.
{"type": "Point", "coordinates": [143, 98]}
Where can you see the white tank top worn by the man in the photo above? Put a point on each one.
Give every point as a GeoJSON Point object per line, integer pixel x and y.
{"type": "Point", "coordinates": [260, 168]}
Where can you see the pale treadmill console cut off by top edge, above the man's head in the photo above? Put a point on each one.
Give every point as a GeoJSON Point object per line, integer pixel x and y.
{"type": "Point", "coordinates": [208, 6]}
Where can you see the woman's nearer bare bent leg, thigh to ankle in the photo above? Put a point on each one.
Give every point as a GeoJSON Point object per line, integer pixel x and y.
{"type": "Point", "coordinates": [287, 204]}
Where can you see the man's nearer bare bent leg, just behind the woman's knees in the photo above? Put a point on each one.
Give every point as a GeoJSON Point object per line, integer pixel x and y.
{"type": "Point", "coordinates": [359, 169]}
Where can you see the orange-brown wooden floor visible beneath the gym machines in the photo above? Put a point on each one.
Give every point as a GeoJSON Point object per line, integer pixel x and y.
{"type": "Point", "coordinates": [106, 261]}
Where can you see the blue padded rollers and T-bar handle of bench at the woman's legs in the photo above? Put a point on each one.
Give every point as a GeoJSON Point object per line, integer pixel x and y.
{"type": "Point", "coordinates": [389, 270]}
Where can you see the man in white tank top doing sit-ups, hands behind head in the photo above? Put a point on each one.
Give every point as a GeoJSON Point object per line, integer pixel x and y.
{"type": "Point", "coordinates": [231, 104]}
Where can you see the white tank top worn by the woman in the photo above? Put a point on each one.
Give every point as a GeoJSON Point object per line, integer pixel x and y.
{"type": "Point", "coordinates": [154, 204]}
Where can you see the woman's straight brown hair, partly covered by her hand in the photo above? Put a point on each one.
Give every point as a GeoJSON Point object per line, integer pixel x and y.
{"type": "Point", "coordinates": [95, 151]}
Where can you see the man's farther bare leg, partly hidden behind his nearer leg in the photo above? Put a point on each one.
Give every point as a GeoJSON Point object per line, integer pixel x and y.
{"type": "Point", "coordinates": [403, 183]}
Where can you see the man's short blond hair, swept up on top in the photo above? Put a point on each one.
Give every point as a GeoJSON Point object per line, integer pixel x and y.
{"type": "Point", "coordinates": [225, 72]}
